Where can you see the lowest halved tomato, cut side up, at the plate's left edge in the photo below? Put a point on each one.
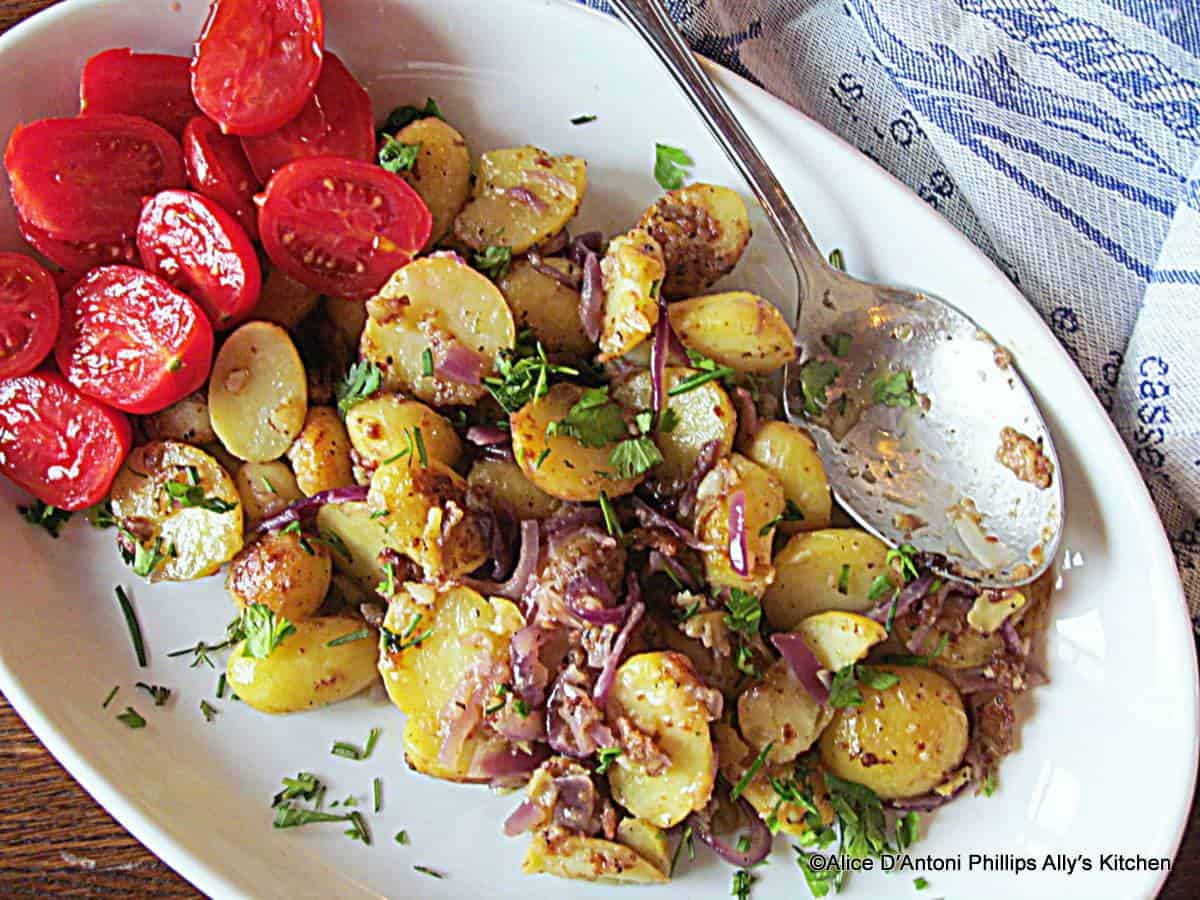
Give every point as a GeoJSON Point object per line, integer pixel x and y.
{"type": "Point", "coordinates": [58, 445]}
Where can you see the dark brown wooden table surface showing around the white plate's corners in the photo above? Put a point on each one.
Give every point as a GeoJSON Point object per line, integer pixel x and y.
{"type": "Point", "coordinates": [57, 842]}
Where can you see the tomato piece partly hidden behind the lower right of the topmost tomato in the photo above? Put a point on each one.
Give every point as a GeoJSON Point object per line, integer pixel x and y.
{"type": "Point", "coordinates": [335, 122]}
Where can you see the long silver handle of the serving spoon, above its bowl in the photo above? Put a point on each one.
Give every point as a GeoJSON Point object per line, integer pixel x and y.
{"type": "Point", "coordinates": [651, 21]}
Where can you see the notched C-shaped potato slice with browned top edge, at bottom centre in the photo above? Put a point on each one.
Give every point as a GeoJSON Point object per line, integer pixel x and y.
{"type": "Point", "coordinates": [663, 698]}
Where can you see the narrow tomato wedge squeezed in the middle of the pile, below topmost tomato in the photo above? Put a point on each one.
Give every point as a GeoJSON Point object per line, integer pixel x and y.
{"type": "Point", "coordinates": [218, 169]}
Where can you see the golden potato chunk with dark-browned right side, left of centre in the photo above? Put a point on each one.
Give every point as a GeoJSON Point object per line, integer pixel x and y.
{"type": "Point", "coordinates": [425, 517]}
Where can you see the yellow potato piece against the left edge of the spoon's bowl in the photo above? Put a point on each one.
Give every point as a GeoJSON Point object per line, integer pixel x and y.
{"type": "Point", "coordinates": [793, 457]}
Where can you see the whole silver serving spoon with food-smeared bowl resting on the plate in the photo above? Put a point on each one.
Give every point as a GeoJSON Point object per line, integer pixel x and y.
{"type": "Point", "coordinates": [907, 398]}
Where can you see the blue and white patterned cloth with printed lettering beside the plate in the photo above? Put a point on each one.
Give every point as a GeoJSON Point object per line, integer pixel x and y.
{"type": "Point", "coordinates": [1079, 116]}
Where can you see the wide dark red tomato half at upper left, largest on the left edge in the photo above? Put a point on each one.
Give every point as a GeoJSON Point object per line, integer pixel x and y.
{"type": "Point", "coordinates": [83, 179]}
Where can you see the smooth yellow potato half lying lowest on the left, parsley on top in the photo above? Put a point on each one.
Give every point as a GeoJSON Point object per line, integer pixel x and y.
{"type": "Point", "coordinates": [304, 673]}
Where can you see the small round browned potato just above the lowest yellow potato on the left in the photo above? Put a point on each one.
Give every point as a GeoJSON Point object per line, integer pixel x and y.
{"type": "Point", "coordinates": [279, 572]}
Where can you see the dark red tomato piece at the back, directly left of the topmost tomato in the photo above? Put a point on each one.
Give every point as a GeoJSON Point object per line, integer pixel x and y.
{"type": "Point", "coordinates": [153, 86]}
